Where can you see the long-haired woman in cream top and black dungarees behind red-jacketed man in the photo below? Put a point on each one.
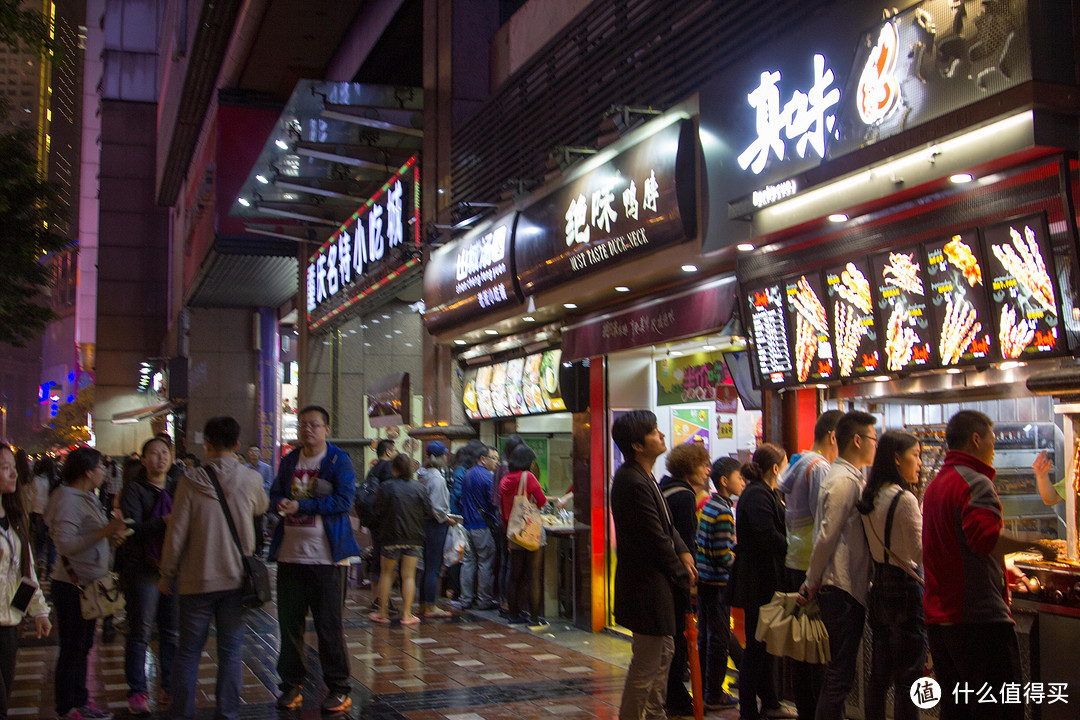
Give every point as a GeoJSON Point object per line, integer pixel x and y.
{"type": "Point", "coordinates": [894, 525]}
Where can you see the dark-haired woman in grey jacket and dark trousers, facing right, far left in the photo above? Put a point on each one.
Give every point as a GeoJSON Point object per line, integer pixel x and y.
{"type": "Point", "coordinates": [83, 534]}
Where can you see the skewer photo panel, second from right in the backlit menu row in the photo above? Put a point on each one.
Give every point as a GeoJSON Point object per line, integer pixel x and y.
{"type": "Point", "coordinates": [958, 301]}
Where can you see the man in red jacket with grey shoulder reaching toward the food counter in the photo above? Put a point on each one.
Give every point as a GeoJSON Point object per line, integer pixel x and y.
{"type": "Point", "coordinates": [969, 624]}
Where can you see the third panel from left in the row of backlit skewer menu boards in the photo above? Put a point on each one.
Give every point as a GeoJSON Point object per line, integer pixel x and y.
{"type": "Point", "coordinates": [852, 311]}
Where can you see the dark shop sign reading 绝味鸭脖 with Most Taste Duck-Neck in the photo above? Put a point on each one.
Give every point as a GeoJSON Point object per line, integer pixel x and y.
{"type": "Point", "coordinates": [638, 202]}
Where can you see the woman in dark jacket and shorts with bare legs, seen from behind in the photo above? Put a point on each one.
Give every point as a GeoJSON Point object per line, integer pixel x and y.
{"type": "Point", "coordinates": [403, 509]}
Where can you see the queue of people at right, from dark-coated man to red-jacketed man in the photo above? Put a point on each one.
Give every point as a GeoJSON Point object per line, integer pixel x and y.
{"type": "Point", "coordinates": [858, 545]}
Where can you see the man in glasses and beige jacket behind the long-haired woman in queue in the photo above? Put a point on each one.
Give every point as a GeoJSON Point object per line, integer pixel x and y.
{"type": "Point", "coordinates": [840, 574]}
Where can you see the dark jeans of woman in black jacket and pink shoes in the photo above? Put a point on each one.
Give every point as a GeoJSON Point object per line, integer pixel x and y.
{"type": "Point", "coordinates": [147, 606]}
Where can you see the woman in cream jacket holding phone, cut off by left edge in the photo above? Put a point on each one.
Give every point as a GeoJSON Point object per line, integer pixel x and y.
{"type": "Point", "coordinates": [18, 564]}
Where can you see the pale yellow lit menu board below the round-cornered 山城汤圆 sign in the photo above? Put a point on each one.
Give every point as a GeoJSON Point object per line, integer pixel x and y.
{"type": "Point", "coordinates": [524, 386]}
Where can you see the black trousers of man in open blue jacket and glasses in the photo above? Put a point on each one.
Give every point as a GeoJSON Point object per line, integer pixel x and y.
{"type": "Point", "coordinates": [321, 590]}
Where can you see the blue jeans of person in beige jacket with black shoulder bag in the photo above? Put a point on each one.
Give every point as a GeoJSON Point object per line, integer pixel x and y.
{"type": "Point", "coordinates": [196, 613]}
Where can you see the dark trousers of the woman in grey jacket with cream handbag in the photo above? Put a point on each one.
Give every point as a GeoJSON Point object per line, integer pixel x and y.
{"type": "Point", "coordinates": [77, 639]}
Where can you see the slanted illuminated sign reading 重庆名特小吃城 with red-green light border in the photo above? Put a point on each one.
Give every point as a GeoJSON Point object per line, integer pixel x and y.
{"type": "Point", "coordinates": [340, 274]}
